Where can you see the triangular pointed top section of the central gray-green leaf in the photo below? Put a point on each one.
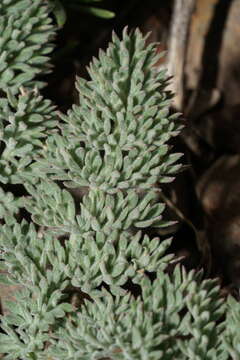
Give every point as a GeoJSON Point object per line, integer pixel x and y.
{"type": "Point", "coordinates": [123, 121]}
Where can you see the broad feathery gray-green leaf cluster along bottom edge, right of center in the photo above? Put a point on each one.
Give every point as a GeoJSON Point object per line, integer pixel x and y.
{"type": "Point", "coordinates": [170, 321]}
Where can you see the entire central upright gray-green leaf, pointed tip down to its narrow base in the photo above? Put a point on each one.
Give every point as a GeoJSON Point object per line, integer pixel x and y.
{"type": "Point", "coordinates": [102, 147]}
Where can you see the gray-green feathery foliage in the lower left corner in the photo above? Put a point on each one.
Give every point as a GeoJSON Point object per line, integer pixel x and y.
{"type": "Point", "coordinates": [38, 266]}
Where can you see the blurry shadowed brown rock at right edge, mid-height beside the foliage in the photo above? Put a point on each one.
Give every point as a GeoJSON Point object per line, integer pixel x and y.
{"type": "Point", "coordinates": [219, 194]}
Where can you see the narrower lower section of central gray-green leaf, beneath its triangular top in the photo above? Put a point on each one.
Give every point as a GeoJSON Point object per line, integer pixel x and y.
{"type": "Point", "coordinates": [100, 248]}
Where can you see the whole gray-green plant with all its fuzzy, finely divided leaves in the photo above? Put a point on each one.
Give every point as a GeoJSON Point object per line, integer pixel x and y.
{"type": "Point", "coordinates": [92, 179]}
